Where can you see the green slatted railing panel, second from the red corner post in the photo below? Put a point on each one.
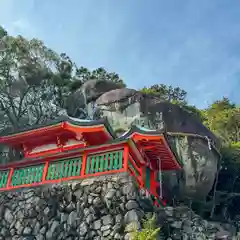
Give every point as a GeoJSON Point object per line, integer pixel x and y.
{"type": "Point", "coordinates": [64, 169]}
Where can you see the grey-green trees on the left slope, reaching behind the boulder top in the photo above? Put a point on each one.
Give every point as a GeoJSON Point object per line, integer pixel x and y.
{"type": "Point", "coordinates": [35, 81]}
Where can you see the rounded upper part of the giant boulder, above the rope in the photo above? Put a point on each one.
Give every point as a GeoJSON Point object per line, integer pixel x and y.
{"type": "Point", "coordinates": [131, 104]}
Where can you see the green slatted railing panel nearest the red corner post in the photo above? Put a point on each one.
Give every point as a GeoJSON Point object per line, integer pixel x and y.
{"type": "Point", "coordinates": [104, 162]}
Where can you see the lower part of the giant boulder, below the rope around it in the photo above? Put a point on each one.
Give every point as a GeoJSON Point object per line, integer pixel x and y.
{"type": "Point", "coordinates": [199, 163]}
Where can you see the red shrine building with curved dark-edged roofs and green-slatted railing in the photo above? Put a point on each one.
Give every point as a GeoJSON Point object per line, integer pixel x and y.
{"type": "Point", "coordinates": [70, 149]}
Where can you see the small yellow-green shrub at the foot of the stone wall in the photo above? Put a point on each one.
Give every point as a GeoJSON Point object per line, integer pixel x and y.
{"type": "Point", "coordinates": [150, 230]}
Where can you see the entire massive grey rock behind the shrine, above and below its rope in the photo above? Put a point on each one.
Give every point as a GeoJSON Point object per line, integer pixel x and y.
{"type": "Point", "coordinates": [126, 107]}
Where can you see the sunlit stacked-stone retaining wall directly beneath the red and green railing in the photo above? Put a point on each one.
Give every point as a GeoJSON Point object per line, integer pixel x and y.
{"type": "Point", "coordinates": [92, 209]}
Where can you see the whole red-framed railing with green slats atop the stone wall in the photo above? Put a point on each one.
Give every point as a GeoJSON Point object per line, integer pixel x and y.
{"type": "Point", "coordinates": [46, 171]}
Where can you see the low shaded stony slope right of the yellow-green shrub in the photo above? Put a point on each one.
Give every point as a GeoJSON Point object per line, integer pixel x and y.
{"type": "Point", "coordinates": [182, 223]}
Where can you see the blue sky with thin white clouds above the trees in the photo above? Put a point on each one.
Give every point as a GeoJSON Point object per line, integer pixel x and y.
{"type": "Point", "coordinates": [193, 44]}
